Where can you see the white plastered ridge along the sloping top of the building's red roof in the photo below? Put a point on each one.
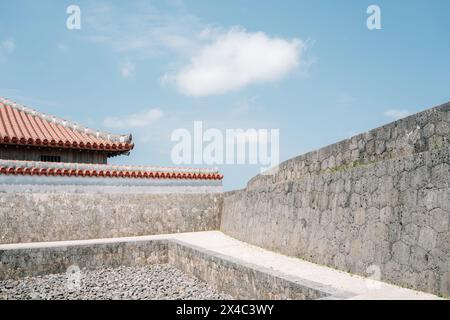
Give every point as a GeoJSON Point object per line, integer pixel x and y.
{"type": "Point", "coordinates": [66, 123]}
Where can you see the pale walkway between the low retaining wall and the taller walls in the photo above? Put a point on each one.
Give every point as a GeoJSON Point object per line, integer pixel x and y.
{"type": "Point", "coordinates": [216, 241]}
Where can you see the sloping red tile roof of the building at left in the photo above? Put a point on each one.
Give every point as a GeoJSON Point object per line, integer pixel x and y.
{"type": "Point", "coordinates": [20, 125]}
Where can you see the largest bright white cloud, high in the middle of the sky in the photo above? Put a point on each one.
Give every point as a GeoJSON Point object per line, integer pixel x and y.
{"type": "Point", "coordinates": [235, 60]}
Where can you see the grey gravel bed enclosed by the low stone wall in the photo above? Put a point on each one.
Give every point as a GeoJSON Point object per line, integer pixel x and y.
{"type": "Point", "coordinates": [152, 282]}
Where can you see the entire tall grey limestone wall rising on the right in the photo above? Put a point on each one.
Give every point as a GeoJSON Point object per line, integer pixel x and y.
{"type": "Point", "coordinates": [378, 203]}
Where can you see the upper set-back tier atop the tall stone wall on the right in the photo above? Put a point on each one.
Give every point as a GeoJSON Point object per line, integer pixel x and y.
{"type": "Point", "coordinates": [424, 131]}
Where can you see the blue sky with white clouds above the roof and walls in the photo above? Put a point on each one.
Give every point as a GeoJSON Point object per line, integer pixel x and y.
{"type": "Point", "coordinates": [317, 73]}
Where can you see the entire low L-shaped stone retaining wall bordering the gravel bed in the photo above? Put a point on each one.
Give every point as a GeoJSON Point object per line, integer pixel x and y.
{"type": "Point", "coordinates": [223, 273]}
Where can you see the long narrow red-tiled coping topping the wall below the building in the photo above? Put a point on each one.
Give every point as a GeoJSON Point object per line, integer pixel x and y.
{"type": "Point", "coordinates": [19, 167]}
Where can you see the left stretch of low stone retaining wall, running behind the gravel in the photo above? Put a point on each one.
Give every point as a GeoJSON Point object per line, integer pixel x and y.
{"type": "Point", "coordinates": [38, 260]}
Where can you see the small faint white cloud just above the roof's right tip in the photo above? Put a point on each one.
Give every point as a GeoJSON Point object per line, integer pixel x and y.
{"type": "Point", "coordinates": [135, 120]}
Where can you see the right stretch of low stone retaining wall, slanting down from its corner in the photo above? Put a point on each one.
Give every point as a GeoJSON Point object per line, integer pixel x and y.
{"type": "Point", "coordinates": [243, 280]}
